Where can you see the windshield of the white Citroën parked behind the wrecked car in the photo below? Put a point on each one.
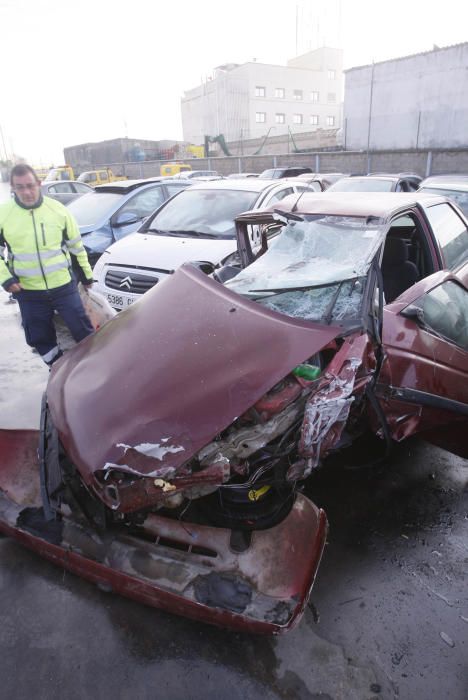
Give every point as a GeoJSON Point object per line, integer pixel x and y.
{"type": "Point", "coordinates": [208, 213]}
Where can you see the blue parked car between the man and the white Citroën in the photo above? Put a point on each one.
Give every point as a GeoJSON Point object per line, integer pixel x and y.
{"type": "Point", "coordinates": [113, 211]}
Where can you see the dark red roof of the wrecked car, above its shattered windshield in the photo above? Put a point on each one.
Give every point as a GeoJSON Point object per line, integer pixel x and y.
{"type": "Point", "coordinates": [377, 204]}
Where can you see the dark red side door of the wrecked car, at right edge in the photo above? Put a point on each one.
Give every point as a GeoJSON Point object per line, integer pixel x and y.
{"type": "Point", "coordinates": [423, 380]}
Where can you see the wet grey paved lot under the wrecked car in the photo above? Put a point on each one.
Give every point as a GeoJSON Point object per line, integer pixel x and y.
{"type": "Point", "coordinates": [388, 616]}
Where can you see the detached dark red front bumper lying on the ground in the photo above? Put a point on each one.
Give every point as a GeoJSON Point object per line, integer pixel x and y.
{"type": "Point", "coordinates": [205, 573]}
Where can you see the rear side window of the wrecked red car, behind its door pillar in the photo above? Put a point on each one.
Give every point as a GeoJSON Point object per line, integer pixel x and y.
{"type": "Point", "coordinates": [450, 231]}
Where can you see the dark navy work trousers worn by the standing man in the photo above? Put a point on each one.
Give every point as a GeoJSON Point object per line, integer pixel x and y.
{"type": "Point", "coordinates": [37, 313]}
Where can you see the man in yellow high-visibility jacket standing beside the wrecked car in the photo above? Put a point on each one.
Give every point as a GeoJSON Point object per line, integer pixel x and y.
{"type": "Point", "coordinates": [43, 243]}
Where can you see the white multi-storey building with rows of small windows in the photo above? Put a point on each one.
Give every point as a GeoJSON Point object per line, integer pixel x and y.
{"type": "Point", "coordinates": [249, 100]}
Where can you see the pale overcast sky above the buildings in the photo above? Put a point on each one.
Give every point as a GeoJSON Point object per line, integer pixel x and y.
{"type": "Point", "coordinates": [75, 71]}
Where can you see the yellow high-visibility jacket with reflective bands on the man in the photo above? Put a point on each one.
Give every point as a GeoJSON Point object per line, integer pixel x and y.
{"type": "Point", "coordinates": [42, 244]}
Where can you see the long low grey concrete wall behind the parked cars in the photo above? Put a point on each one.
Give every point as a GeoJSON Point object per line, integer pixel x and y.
{"type": "Point", "coordinates": [422, 162]}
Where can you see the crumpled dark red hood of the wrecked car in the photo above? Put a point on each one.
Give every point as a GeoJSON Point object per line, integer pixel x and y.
{"type": "Point", "coordinates": [168, 374]}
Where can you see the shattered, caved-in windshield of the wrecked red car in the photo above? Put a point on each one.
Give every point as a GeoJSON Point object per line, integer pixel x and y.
{"type": "Point", "coordinates": [314, 269]}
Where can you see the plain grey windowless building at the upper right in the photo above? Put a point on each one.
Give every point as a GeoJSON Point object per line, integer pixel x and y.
{"type": "Point", "coordinates": [418, 101]}
